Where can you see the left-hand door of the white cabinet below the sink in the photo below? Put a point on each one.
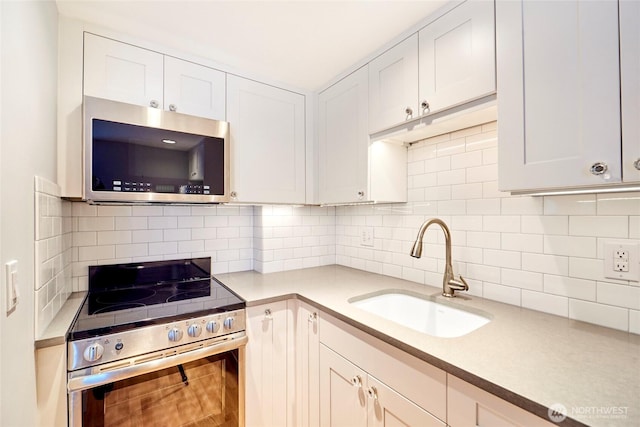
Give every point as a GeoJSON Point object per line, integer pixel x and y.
{"type": "Point", "coordinates": [343, 398]}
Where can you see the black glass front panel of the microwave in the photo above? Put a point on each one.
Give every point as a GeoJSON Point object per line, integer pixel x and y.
{"type": "Point", "coordinates": [131, 158]}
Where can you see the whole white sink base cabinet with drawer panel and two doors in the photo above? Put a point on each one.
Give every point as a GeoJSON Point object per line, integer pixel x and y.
{"type": "Point", "coordinates": [365, 381]}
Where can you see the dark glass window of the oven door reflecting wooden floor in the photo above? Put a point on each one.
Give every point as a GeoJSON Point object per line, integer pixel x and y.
{"type": "Point", "coordinates": [199, 393]}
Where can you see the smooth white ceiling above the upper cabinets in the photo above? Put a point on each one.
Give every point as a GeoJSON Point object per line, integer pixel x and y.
{"type": "Point", "coordinates": [301, 43]}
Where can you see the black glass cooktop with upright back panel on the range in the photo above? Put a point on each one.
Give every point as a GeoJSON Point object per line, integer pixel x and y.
{"type": "Point", "coordinates": [126, 296]}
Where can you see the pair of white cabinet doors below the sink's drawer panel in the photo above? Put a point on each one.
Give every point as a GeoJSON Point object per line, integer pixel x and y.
{"type": "Point", "coordinates": [350, 397]}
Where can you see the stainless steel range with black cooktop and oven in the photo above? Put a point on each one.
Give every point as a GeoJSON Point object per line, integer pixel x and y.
{"type": "Point", "coordinates": [157, 343]}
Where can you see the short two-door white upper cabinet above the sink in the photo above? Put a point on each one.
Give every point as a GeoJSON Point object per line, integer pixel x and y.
{"type": "Point", "coordinates": [447, 63]}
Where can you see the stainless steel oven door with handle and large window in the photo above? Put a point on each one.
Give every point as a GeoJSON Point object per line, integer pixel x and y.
{"type": "Point", "coordinates": [202, 386]}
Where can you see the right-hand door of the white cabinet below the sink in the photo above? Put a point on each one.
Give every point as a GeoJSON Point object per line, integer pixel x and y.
{"type": "Point", "coordinates": [387, 408]}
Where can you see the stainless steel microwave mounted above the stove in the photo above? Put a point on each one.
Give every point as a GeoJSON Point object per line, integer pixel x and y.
{"type": "Point", "coordinates": [147, 155]}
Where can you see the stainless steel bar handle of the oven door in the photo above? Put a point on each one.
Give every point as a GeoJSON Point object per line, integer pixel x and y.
{"type": "Point", "coordinates": [105, 377]}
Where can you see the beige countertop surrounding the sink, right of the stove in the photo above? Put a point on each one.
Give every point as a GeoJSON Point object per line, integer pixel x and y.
{"type": "Point", "coordinates": [531, 359]}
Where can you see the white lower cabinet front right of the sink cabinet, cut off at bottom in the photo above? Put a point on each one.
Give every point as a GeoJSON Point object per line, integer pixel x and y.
{"type": "Point", "coordinates": [468, 405]}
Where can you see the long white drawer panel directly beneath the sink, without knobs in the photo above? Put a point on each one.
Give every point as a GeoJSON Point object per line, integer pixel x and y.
{"type": "Point", "coordinates": [423, 384]}
